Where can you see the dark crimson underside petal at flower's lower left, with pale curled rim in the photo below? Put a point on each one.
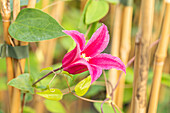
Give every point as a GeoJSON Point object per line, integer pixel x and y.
{"type": "Point", "coordinates": [79, 66]}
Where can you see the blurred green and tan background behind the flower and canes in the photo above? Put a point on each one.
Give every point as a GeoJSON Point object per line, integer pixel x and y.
{"type": "Point", "coordinates": [50, 53]}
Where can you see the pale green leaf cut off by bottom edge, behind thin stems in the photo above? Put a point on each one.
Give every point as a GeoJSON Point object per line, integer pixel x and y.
{"type": "Point", "coordinates": [107, 108]}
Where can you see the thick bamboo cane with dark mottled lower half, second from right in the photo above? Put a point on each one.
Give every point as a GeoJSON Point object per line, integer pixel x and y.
{"type": "Point", "coordinates": [142, 58]}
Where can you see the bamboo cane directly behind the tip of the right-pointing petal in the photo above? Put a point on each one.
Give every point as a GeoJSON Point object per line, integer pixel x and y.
{"type": "Point", "coordinates": [124, 49]}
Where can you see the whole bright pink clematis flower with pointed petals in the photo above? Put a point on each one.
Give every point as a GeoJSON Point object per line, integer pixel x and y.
{"type": "Point", "coordinates": [89, 57]}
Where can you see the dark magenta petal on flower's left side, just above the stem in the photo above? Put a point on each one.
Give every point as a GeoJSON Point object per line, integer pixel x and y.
{"type": "Point", "coordinates": [71, 56]}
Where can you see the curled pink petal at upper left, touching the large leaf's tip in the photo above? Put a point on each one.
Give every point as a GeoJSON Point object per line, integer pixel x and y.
{"type": "Point", "coordinates": [77, 37]}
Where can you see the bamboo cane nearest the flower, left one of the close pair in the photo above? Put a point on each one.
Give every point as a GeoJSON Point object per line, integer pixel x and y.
{"type": "Point", "coordinates": [115, 44]}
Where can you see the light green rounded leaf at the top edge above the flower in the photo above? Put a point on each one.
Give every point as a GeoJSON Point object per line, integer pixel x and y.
{"type": "Point", "coordinates": [96, 11]}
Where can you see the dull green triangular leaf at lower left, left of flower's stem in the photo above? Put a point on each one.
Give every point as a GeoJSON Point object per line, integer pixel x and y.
{"type": "Point", "coordinates": [23, 83]}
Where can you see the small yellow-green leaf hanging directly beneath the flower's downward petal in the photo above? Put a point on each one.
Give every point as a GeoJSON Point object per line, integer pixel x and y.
{"type": "Point", "coordinates": [83, 86]}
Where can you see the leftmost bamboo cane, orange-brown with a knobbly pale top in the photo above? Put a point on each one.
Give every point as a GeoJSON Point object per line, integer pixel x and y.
{"type": "Point", "coordinates": [6, 14]}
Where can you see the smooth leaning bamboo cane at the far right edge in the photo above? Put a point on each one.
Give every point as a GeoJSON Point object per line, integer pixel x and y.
{"type": "Point", "coordinates": [160, 56]}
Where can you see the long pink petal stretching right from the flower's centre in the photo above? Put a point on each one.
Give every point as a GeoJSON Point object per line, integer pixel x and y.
{"type": "Point", "coordinates": [107, 61]}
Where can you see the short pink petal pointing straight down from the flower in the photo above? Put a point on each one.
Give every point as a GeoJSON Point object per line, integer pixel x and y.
{"type": "Point", "coordinates": [95, 72]}
